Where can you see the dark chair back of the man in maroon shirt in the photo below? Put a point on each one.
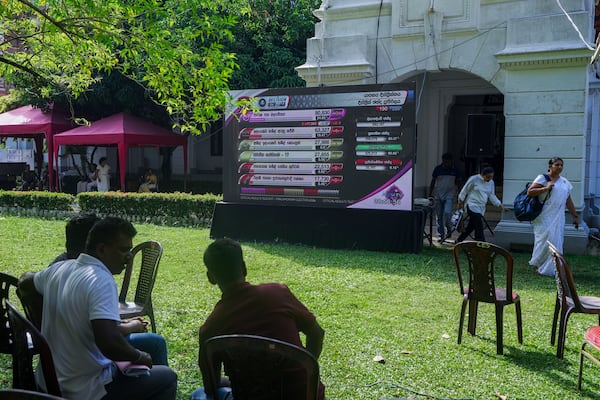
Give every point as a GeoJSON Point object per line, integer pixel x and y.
{"type": "Point", "coordinates": [261, 368]}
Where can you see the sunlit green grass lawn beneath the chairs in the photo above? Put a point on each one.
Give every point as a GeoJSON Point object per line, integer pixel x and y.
{"type": "Point", "coordinates": [404, 307]}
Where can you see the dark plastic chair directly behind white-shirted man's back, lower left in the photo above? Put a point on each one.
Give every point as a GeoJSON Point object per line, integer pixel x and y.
{"type": "Point", "coordinates": [28, 341]}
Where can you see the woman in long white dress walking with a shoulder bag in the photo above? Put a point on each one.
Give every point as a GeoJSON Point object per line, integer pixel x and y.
{"type": "Point", "coordinates": [550, 224]}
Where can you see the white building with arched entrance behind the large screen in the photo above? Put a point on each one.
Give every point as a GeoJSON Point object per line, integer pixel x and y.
{"type": "Point", "coordinates": [524, 62]}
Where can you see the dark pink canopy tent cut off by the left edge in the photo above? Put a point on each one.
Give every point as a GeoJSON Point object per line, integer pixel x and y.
{"type": "Point", "coordinates": [31, 122]}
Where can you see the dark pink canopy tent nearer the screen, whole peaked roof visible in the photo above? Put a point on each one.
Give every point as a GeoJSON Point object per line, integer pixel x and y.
{"type": "Point", "coordinates": [124, 131]}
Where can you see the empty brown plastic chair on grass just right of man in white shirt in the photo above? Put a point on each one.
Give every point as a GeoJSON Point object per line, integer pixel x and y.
{"type": "Point", "coordinates": [146, 257]}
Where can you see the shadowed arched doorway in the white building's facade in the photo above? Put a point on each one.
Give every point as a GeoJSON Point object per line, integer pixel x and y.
{"type": "Point", "coordinates": [445, 100]}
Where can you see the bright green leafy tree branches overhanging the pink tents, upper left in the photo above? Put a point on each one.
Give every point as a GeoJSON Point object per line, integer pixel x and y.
{"type": "Point", "coordinates": [173, 49]}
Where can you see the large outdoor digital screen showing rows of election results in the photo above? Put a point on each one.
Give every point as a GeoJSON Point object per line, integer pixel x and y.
{"type": "Point", "coordinates": [341, 146]}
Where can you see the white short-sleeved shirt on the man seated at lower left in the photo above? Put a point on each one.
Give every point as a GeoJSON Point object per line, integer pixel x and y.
{"type": "Point", "coordinates": [75, 293]}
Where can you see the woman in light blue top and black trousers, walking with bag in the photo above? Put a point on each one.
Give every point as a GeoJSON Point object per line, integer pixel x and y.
{"type": "Point", "coordinates": [475, 195]}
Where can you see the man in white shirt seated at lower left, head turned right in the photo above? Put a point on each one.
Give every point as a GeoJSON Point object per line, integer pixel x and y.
{"type": "Point", "coordinates": [82, 324]}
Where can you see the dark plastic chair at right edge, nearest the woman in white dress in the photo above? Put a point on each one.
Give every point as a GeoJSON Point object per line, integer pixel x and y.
{"type": "Point", "coordinates": [567, 300]}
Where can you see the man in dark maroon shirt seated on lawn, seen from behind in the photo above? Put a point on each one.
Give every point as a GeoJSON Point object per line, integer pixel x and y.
{"type": "Point", "coordinates": [269, 310]}
